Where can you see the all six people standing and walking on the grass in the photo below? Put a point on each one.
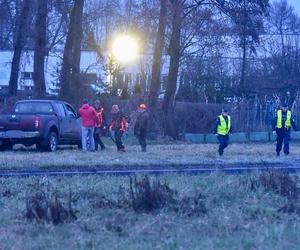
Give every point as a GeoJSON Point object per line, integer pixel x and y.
{"type": "Point", "coordinates": [94, 123]}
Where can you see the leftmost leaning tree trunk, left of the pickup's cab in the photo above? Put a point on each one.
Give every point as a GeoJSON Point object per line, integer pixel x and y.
{"type": "Point", "coordinates": [18, 47]}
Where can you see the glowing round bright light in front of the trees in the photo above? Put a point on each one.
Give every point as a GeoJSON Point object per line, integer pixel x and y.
{"type": "Point", "coordinates": [125, 48]}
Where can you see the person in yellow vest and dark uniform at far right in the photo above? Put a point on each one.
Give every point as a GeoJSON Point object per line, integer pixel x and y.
{"type": "Point", "coordinates": [282, 124]}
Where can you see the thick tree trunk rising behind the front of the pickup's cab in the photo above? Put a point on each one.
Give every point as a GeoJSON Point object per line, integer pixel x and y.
{"type": "Point", "coordinates": [71, 58]}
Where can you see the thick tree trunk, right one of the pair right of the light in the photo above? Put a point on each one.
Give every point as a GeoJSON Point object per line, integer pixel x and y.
{"type": "Point", "coordinates": [174, 51]}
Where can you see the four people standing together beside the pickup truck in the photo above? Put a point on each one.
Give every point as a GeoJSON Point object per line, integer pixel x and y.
{"type": "Point", "coordinates": [93, 124]}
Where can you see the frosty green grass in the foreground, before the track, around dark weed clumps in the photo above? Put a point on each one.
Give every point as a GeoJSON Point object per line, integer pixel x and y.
{"type": "Point", "coordinates": [238, 216]}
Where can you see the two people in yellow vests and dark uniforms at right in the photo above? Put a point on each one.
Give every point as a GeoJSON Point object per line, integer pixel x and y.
{"type": "Point", "coordinates": [282, 124]}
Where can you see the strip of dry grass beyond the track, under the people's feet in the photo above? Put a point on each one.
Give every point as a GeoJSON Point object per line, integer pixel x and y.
{"type": "Point", "coordinates": [157, 155]}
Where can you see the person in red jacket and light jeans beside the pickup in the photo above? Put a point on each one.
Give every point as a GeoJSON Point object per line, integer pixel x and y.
{"type": "Point", "coordinates": [88, 121]}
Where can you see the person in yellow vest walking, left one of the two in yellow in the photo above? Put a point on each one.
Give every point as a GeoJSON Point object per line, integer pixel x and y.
{"type": "Point", "coordinates": [222, 129]}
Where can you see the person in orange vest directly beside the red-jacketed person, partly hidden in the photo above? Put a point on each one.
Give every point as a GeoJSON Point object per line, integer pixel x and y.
{"type": "Point", "coordinates": [100, 125]}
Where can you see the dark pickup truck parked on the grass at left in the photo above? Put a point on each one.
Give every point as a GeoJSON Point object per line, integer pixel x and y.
{"type": "Point", "coordinates": [46, 123]}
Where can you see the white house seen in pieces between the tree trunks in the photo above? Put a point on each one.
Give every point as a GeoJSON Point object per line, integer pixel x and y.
{"type": "Point", "coordinates": [90, 63]}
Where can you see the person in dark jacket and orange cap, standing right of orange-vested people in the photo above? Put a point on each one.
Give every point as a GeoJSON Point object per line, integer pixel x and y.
{"type": "Point", "coordinates": [141, 126]}
